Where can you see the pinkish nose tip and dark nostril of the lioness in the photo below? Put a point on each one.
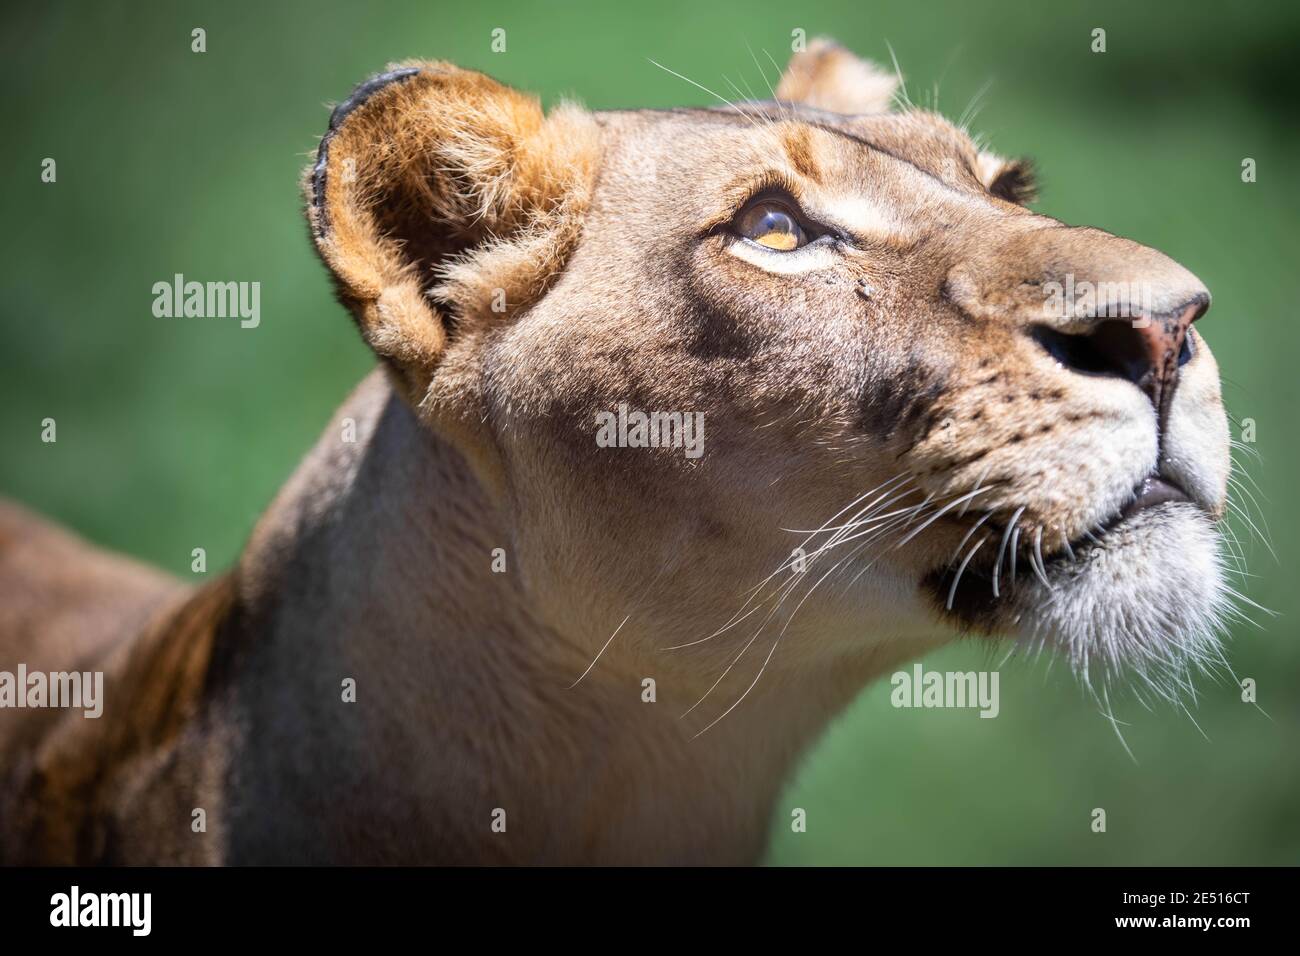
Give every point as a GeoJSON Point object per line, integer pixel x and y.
{"type": "Point", "coordinates": [1147, 351]}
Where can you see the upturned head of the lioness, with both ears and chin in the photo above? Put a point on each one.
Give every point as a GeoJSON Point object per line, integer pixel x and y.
{"type": "Point", "coordinates": [803, 378]}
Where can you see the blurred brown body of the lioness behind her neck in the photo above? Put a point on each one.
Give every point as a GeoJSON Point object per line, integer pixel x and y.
{"type": "Point", "coordinates": [63, 799]}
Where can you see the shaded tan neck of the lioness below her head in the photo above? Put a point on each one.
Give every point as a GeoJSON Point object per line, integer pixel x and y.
{"type": "Point", "coordinates": [375, 565]}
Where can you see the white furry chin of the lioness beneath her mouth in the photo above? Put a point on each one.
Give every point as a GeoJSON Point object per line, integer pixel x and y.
{"type": "Point", "coordinates": [1147, 602]}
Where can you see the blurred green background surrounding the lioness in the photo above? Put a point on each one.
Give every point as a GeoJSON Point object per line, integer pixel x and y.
{"type": "Point", "coordinates": [175, 434]}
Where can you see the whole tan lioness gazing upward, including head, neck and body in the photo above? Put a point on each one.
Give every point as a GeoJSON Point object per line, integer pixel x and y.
{"type": "Point", "coordinates": [469, 631]}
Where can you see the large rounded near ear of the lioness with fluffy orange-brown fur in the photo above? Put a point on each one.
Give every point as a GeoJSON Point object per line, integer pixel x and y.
{"type": "Point", "coordinates": [441, 200]}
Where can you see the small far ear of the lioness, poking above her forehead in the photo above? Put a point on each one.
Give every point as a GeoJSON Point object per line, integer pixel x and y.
{"type": "Point", "coordinates": [826, 76]}
